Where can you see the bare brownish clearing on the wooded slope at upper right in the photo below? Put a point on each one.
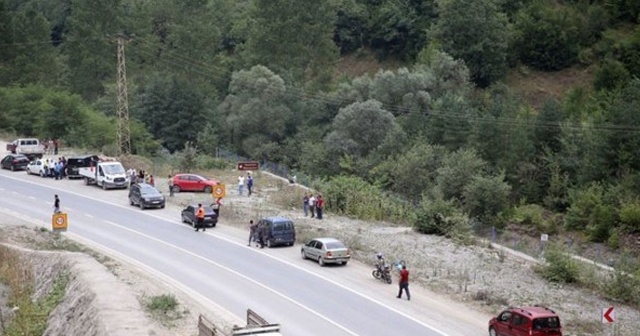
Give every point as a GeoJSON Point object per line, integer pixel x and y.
{"type": "Point", "coordinates": [535, 87]}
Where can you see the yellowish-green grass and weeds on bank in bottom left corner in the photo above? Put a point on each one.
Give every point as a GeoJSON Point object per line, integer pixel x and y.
{"type": "Point", "coordinates": [30, 318]}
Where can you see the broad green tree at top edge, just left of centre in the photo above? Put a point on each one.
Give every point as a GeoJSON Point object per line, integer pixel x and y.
{"type": "Point", "coordinates": [293, 38]}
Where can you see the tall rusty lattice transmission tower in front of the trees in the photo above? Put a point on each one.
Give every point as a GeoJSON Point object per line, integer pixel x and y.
{"type": "Point", "coordinates": [124, 133]}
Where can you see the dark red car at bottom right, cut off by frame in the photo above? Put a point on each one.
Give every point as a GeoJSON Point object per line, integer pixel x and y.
{"type": "Point", "coordinates": [533, 321]}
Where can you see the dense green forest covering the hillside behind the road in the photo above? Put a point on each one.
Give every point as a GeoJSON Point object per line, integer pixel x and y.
{"type": "Point", "coordinates": [436, 137]}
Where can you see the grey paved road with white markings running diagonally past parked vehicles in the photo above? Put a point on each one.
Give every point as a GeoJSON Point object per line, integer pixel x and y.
{"type": "Point", "coordinates": [303, 298]}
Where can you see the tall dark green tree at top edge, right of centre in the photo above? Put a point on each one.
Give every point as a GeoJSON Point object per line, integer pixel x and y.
{"type": "Point", "coordinates": [477, 32]}
